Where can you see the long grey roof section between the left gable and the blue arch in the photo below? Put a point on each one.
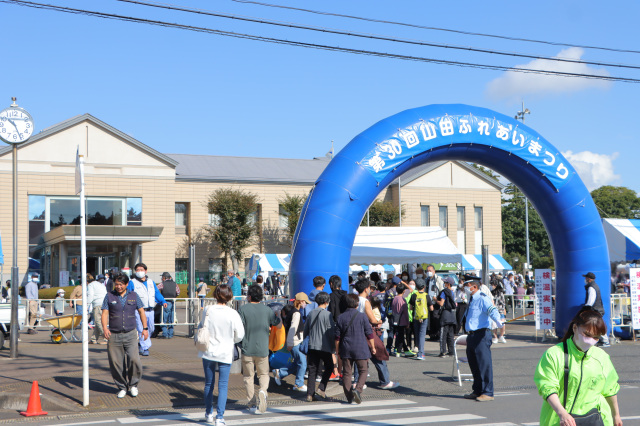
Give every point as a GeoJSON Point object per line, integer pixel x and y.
{"type": "Point", "coordinates": [248, 169]}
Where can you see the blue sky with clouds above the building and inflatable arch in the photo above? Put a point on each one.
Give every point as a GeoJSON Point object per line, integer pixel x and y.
{"type": "Point", "coordinates": [188, 92]}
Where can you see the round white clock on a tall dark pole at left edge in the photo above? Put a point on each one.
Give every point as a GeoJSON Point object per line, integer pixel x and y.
{"type": "Point", "coordinates": [16, 126]}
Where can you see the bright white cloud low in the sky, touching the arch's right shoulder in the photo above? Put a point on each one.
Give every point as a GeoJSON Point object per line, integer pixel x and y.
{"type": "Point", "coordinates": [595, 170]}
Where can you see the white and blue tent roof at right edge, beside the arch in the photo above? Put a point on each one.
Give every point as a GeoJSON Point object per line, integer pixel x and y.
{"type": "Point", "coordinates": [623, 239]}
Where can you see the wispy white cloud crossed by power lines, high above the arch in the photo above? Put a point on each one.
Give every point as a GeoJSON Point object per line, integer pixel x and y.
{"type": "Point", "coordinates": [518, 84]}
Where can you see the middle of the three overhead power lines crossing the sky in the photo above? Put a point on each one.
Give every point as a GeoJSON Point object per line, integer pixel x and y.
{"type": "Point", "coordinates": [372, 36]}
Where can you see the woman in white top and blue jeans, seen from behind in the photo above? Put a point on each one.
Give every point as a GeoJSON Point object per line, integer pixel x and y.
{"type": "Point", "coordinates": [225, 330]}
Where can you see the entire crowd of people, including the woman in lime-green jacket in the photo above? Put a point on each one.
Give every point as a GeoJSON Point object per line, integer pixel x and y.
{"type": "Point", "coordinates": [335, 336]}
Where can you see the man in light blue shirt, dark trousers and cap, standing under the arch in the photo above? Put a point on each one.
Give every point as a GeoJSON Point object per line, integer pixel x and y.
{"type": "Point", "coordinates": [478, 329]}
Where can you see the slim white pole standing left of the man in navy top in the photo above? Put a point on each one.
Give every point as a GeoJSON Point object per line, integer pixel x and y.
{"type": "Point", "coordinates": [83, 262]}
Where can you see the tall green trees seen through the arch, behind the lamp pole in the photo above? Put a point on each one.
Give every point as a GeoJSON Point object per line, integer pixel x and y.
{"type": "Point", "coordinates": [514, 232]}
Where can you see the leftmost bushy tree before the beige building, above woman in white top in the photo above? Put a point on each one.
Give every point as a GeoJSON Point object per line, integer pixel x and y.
{"type": "Point", "coordinates": [235, 224]}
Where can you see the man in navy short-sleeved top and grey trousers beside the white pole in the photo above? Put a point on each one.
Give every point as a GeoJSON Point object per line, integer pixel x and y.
{"type": "Point", "coordinates": [119, 324]}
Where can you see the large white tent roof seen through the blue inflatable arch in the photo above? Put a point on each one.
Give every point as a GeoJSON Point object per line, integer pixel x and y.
{"type": "Point", "coordinates": [392, 244]}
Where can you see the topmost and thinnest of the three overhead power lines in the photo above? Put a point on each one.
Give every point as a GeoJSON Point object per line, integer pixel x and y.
{"type": "Point", "coordinates": [404, 24]}
